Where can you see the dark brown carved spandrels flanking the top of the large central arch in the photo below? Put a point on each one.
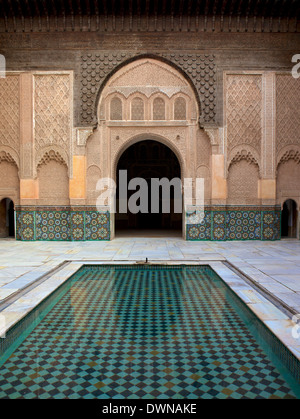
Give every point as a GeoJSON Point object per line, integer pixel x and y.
{"type": "Point", "coordinates": [96, 68]}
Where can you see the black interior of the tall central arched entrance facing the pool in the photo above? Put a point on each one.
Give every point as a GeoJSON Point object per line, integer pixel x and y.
{"type": "Point", "coordinates": [150, 161]}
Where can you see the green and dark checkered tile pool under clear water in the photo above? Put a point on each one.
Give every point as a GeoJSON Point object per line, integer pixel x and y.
{"type": "Point", "coordinates": [143, 332]}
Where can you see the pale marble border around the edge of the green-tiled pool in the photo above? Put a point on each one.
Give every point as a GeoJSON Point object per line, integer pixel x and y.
{"type": "Point", "coordinates": [281, 326]}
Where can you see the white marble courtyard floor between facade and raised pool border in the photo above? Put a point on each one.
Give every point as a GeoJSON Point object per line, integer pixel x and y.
{"type": "Point", "coordinates": [275, 266]}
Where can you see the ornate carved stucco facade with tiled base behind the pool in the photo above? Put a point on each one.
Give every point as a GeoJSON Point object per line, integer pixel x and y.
{"type": "Point", "coordinates": [198, 89]}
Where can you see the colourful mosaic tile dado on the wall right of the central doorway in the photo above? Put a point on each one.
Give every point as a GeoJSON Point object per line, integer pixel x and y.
{"type": "Point", "coordinates": [234, 224]}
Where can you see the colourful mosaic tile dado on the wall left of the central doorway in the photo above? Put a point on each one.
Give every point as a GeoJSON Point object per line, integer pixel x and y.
{"type": "Point", "coordinates": [62, 224]}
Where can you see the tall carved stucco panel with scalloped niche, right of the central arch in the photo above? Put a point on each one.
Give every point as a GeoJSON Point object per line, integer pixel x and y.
{"type": "Point", "coordinates": [243, 110]}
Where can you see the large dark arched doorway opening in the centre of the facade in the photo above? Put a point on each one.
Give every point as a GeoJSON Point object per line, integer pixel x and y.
{"type": "Point", "coordinates": [149, 160]}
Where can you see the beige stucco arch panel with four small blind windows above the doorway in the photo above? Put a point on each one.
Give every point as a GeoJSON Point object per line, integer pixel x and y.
{"type": "Point", "coordinates": [147, 79]}
